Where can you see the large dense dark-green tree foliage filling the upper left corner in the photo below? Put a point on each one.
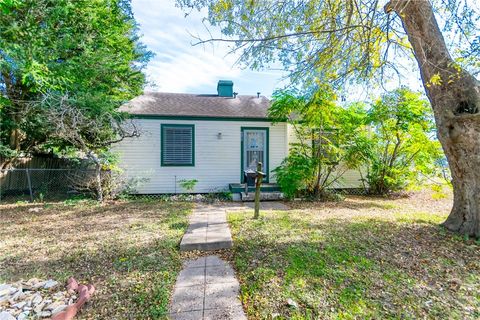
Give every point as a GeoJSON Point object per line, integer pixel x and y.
{"type": "Point", "coordinates": [84, 55]}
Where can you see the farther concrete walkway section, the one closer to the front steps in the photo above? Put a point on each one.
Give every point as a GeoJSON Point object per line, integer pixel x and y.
{"type": "Point", "coordinates": [208, 230]}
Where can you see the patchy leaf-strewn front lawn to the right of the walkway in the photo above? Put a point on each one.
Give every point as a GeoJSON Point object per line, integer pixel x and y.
{"type": "Point", "coordinates": [361, 258]}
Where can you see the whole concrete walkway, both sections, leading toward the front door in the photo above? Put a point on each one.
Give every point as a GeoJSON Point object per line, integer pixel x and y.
{"type": "Point", "coordinates": [206, 288]}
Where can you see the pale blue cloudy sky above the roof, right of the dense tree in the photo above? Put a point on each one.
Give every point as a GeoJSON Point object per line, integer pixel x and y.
{"type": "Point", "coordinates": [180, 67]}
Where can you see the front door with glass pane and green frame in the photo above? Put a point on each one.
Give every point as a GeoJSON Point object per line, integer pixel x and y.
{"type": "Point", "coordinates": [255, 149]}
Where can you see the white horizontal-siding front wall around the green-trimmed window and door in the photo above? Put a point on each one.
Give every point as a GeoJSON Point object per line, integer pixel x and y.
{"type": "Point", "coordinates": [217, 161]}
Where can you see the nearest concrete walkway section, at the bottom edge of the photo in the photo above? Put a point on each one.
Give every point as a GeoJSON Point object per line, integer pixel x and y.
{"type": "Point", "coordinates": [207, 289]}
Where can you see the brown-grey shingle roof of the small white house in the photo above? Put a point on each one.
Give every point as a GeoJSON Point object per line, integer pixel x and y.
{"type": "Point", "coordinates": [197, 105]}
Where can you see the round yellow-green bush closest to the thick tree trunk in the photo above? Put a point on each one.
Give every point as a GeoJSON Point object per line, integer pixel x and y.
{"type": "Point", "coordinates": [400, 145]}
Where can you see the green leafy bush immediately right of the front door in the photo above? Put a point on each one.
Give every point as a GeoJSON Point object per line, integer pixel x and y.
{"type": "Point", "coordinates": [325, 134]}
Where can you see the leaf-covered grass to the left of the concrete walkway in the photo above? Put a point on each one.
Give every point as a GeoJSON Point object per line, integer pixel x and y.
{"type": "Point", "coordinates": [128, 250]}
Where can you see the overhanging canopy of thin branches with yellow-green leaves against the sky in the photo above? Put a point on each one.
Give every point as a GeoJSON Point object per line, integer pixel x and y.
{"type": "Point", "coordinates": [333, 40]}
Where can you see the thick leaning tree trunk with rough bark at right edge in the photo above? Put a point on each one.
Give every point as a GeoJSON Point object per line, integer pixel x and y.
{"type": "Point", "coordinates": [456, 105]}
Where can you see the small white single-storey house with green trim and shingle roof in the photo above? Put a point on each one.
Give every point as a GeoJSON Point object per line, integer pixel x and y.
{"type": "Point", "coordinates": [210, 138]}
